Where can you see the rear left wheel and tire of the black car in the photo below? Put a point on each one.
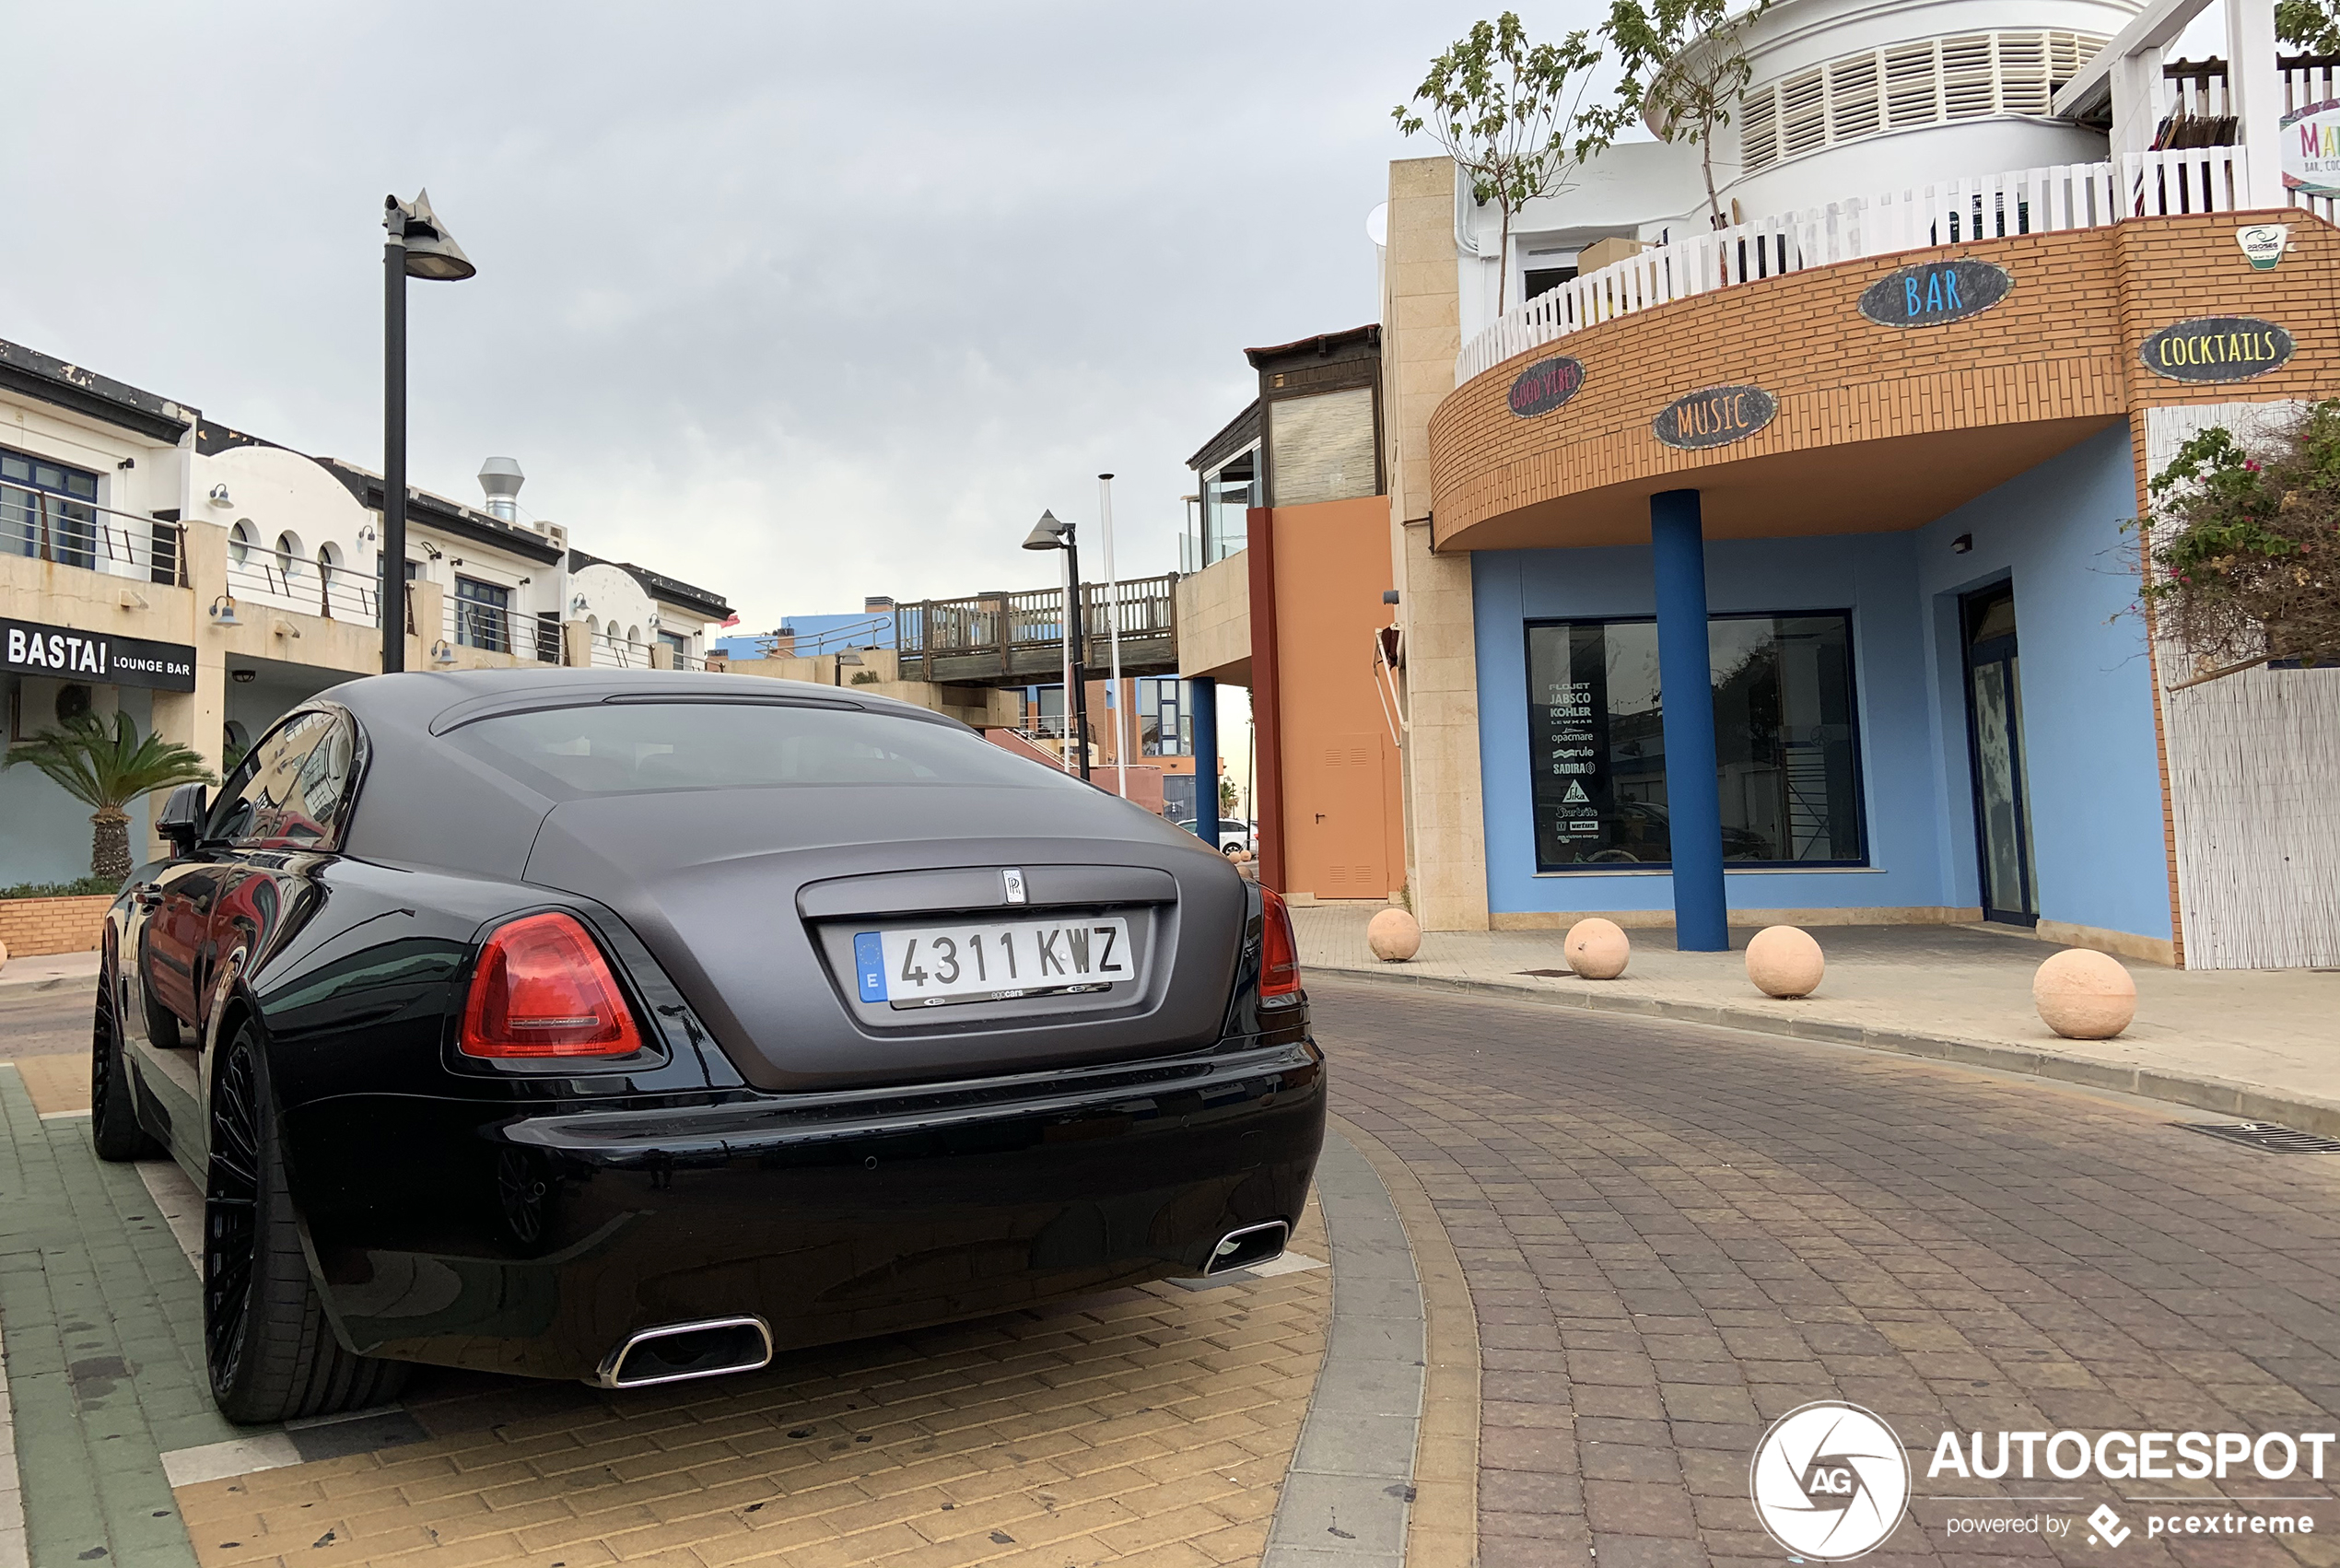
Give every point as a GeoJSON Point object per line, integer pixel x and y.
{"type": "Point", "coordinates": [266, 1340]}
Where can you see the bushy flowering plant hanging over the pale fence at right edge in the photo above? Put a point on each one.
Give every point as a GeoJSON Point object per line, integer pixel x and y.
{"type": "Point", "coordinates": [2245, 546]}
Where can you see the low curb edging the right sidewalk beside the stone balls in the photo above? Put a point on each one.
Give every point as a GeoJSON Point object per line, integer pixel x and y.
{"type": "Point", "coordinates": [2208, 1094]}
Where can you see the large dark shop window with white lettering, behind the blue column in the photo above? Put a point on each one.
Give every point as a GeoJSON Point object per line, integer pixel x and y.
{"type": "Point", "coordinates": [1787, 748]}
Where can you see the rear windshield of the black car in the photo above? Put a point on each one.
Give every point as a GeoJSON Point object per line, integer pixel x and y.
{"type": "Point", "coordinates": [640, 748]}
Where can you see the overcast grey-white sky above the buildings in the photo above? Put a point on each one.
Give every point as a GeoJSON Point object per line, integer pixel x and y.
{"type": "Point", "coordinates": [797, 303]}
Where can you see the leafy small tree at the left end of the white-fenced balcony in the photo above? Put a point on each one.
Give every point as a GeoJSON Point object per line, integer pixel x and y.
{"type": "Point", "coordinates": [1510, 114]}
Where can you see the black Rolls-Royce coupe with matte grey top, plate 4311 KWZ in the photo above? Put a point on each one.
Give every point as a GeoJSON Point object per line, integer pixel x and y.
{"type": "Point", "coordinates": [645, 1026]}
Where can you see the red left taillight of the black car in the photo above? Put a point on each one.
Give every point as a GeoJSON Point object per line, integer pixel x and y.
{"type": "Point", "coordinates": [544, 989]}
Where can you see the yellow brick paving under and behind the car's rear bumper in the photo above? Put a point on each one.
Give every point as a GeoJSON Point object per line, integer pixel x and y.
{"type": "Point", "coordinates": [1148, 1429]}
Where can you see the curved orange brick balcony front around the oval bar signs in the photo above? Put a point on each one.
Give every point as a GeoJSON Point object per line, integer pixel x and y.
{"type": "Point", "coordinates": [1878, 427]}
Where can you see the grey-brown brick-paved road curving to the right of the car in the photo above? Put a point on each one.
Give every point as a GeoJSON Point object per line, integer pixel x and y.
{"type": "Point", "coordinates": [1677, 1235]}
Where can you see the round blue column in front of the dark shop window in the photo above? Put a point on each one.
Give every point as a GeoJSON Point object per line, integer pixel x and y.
{"type": "Point", "coordinates": [1688, 696]}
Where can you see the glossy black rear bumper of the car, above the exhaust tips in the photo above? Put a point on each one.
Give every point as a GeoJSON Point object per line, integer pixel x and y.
{"type": "Point", "coordinates": [535, 1244]}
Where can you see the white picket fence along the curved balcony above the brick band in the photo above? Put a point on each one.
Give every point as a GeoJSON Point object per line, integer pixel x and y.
{"type": "Point", "coordinates": [1948, 214]}
